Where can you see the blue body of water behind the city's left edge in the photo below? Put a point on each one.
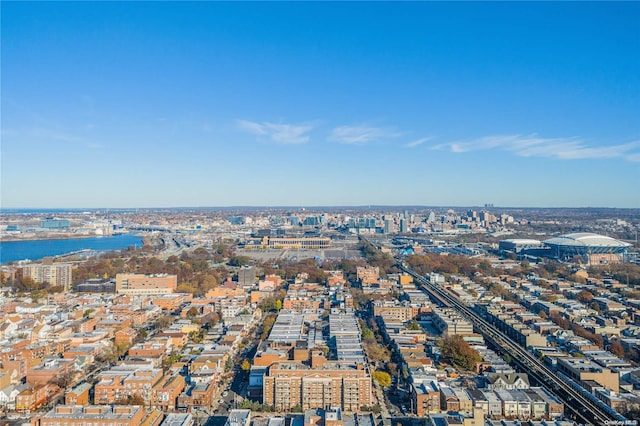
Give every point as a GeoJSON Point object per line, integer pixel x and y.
{"type": "Point", "coordinates": [11, 251]}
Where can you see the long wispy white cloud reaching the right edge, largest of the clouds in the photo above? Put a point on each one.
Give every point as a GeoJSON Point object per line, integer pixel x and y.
{"type": "Point", "coordinates": [535, 146]}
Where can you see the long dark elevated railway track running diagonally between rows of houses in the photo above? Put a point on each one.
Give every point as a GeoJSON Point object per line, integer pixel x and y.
{"type": "Point", "coordinates": [581, 407]}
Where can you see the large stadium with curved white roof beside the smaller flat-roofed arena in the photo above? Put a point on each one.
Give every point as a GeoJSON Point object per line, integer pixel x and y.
{"type": "Point", "coordinates": [588, 247]}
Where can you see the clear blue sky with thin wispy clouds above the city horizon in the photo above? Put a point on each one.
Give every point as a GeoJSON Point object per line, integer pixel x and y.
{"type": "Point", "coordinates": [146, 104]}
